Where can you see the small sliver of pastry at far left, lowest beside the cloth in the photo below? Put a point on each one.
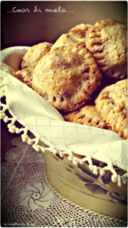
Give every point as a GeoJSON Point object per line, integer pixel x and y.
{"type": "Point", "coordinates": [24, 75]}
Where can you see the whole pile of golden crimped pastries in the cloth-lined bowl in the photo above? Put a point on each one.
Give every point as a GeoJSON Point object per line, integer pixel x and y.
{"type": "Point", "coordinates": [83, 74]}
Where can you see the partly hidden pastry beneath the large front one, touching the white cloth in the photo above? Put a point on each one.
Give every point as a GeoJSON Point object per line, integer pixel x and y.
{"type": "Point", "coordinates": [87, 115]}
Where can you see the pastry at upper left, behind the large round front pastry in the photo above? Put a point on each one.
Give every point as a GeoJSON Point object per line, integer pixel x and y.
{"type": "Point", "coordinates": [34, 54]}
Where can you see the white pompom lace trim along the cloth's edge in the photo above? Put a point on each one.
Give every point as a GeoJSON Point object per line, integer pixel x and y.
{"type": "Point", "coordinates": [47, 146]}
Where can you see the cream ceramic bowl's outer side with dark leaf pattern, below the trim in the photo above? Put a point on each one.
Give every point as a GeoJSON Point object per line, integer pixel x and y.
{"type": "Point", "coordinates": [80, 185]}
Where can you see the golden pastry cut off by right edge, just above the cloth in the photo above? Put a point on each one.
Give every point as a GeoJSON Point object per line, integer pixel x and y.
{"type": "Point", "coordinates": [111, 104]}
